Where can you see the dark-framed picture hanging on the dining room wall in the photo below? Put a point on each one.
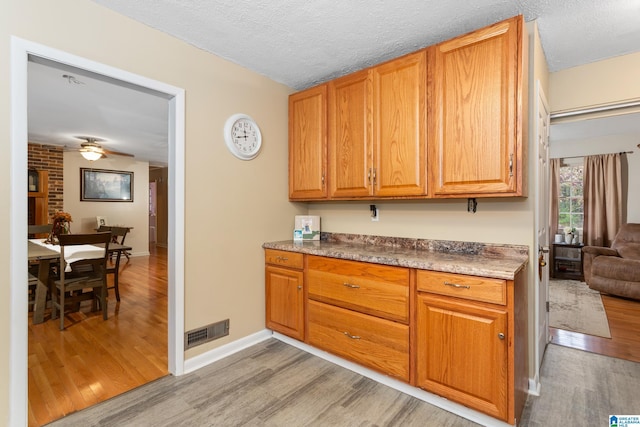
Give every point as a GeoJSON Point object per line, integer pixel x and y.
{"type": "Point", "coordinates": [101, 185]}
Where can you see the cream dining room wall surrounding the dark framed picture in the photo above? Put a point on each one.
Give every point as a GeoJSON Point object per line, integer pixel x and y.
{"type": "Point", "coordinates": [131, 214]}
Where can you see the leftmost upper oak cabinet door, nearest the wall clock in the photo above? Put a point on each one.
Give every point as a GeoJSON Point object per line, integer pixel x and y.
{"type": "Point", "coordinates": [308, 144]}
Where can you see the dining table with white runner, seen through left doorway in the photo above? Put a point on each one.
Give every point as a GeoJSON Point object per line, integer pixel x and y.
{"type": "Point", "coordinates": [44, 254]}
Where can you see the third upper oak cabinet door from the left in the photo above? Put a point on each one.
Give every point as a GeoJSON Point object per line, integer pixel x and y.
{"type": "Point", "coordinates": [399, 119]}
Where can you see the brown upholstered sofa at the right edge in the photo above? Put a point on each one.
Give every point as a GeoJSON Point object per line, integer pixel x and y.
{"type": "Point", "coordinates": [615, 270]}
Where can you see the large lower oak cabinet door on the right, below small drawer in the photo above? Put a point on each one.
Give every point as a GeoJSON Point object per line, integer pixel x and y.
{"type": "Point", "coordinates": [460, 354]}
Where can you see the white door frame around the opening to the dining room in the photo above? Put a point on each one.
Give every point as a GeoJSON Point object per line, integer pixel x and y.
{"type": "Point", "coordinates": [21, 49]}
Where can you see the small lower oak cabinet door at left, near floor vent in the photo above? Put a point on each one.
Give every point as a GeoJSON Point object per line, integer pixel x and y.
{"type": "Point", "coordinates": [285, 301]}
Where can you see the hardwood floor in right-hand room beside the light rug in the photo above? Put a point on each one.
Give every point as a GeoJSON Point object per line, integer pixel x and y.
{"type": "Point", "coordinates": [624, 323]}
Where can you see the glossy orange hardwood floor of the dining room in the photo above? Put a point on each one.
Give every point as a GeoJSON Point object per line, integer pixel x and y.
{"type": "Point", "coordinates": [93, 360]}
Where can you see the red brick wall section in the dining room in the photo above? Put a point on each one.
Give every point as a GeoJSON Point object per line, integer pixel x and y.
{"type": "Point", "coordinates": [49, 158]}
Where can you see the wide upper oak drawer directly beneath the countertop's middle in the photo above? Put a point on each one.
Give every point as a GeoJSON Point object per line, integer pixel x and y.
{"type": "Point", "coordinates": [368, 288]}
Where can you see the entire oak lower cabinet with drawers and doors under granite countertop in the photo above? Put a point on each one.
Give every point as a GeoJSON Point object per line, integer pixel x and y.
{"type": "Point", "coordinates": [458, 336]}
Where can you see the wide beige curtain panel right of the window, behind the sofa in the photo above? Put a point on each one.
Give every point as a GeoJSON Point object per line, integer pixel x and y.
{"type": "Point", "coordinates": [602, 199]}
